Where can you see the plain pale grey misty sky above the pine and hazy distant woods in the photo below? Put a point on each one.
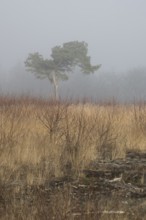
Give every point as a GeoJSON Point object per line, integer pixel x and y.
{"type": "Point", "coordinates": [115, 30]}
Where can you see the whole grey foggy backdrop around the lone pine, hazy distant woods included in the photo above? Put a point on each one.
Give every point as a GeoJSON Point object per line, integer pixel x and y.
{"type": "Point", "coordinates": [115, 31]}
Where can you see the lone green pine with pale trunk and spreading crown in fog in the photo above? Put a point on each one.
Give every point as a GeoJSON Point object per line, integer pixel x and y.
{"type": "Point", "coordinates": [63, 60]}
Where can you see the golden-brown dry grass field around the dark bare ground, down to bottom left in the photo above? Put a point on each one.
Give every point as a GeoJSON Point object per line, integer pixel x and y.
{"type": "Point", "coordinates": [42, 141]}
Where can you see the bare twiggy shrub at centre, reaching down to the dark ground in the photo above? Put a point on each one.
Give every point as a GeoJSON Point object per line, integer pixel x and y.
{"type": "Point", "coordinates": [75, 140]}
